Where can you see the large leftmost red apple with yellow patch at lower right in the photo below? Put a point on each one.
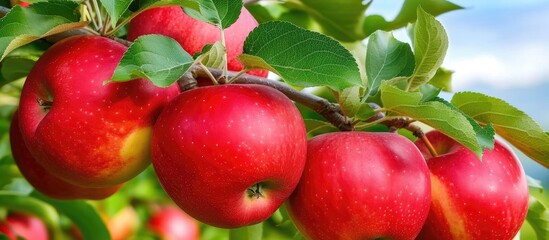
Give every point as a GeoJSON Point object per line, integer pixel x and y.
{"type": "Point", "coordinates": [94, 134]}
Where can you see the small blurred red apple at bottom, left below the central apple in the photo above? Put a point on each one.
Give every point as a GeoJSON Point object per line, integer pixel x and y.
{"type": "Point", "coordinates": [170, 223]}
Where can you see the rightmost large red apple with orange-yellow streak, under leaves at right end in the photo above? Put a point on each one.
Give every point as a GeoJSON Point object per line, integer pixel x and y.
{"type": "Point", "coordinates": [473, 199]}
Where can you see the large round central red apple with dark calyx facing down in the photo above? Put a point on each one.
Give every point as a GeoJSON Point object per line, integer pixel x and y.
{"type": "Point", "coordinates": [229, 155]}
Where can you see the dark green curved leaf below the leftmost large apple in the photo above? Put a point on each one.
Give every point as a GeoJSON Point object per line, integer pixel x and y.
{"type": "Point", "coordinates": [82, 214]}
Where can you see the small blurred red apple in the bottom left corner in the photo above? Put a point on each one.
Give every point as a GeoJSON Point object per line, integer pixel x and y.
{"type": "Point", "coordinates": [25, 226]}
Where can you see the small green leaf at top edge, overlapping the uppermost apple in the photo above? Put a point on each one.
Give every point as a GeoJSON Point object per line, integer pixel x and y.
{"type": "Point", "coordinates": [221, 13]}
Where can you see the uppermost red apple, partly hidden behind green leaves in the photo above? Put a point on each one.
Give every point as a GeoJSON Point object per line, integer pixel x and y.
{"type": "Point", "coordinates": [194, 34]}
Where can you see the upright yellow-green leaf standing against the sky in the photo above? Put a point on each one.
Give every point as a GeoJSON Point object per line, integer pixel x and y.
{"type": "Point", "coordinates": [430, 45]}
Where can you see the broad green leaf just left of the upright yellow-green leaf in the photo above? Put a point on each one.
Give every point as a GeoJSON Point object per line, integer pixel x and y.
{"type": "Point", "coordinates": [386, 58]}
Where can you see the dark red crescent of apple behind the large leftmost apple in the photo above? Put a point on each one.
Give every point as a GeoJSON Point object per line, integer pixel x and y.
{"type": "Point", "coordinates": [42, 180]}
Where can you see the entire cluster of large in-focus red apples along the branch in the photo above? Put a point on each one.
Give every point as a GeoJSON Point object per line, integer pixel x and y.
{"type": "Point", "coordinates": [231, 155]}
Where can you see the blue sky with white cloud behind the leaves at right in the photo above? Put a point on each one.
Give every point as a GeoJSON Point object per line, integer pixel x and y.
{"type": "Point", "coordinates": [500, 48]}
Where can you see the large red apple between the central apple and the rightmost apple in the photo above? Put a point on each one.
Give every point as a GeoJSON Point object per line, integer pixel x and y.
{"type": "Point", "coordinates": [361, 185]}
